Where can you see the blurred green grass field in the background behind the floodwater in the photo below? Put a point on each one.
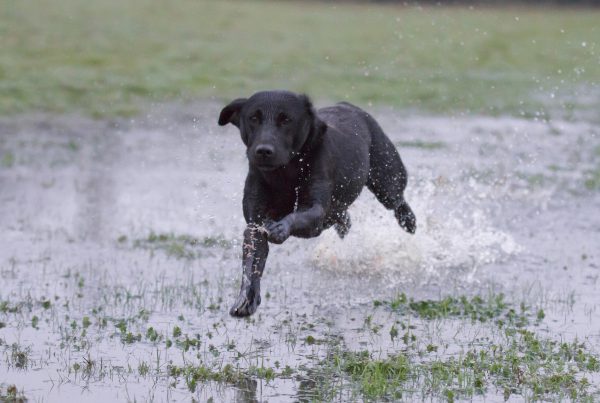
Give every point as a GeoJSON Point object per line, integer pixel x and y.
{"type": "Point", "coordinates": [107, 58]}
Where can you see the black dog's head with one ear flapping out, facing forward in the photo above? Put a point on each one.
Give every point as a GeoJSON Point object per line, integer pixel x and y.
{"type": "Point", "coordinates": [275, 126]}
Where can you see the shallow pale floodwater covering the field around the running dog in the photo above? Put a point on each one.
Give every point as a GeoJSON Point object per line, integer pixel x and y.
{"type": "Point", "coordinates": [502, 206]}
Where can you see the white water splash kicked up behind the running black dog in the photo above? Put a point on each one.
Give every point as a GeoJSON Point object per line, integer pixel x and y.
{"type": "Point", "coordinates": [458, 241]}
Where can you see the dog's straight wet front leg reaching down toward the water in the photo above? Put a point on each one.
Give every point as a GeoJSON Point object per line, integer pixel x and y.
{"type": "Point", "coordinates": [254, 251]}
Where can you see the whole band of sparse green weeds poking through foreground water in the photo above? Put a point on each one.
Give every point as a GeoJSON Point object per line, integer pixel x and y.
{"type": "Point", "coordinates": [511, 360]}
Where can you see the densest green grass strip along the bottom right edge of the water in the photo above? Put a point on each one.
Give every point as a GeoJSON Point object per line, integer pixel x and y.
{"type": "Point", "coordinates": [526, 366]}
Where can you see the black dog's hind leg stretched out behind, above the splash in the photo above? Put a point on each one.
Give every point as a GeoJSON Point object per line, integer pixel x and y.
{"type": "Point", "coordinates": [387, 177]}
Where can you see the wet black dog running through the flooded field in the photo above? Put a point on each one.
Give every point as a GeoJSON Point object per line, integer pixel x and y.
{"type": "Point", "coordinates": [306, 168]}
